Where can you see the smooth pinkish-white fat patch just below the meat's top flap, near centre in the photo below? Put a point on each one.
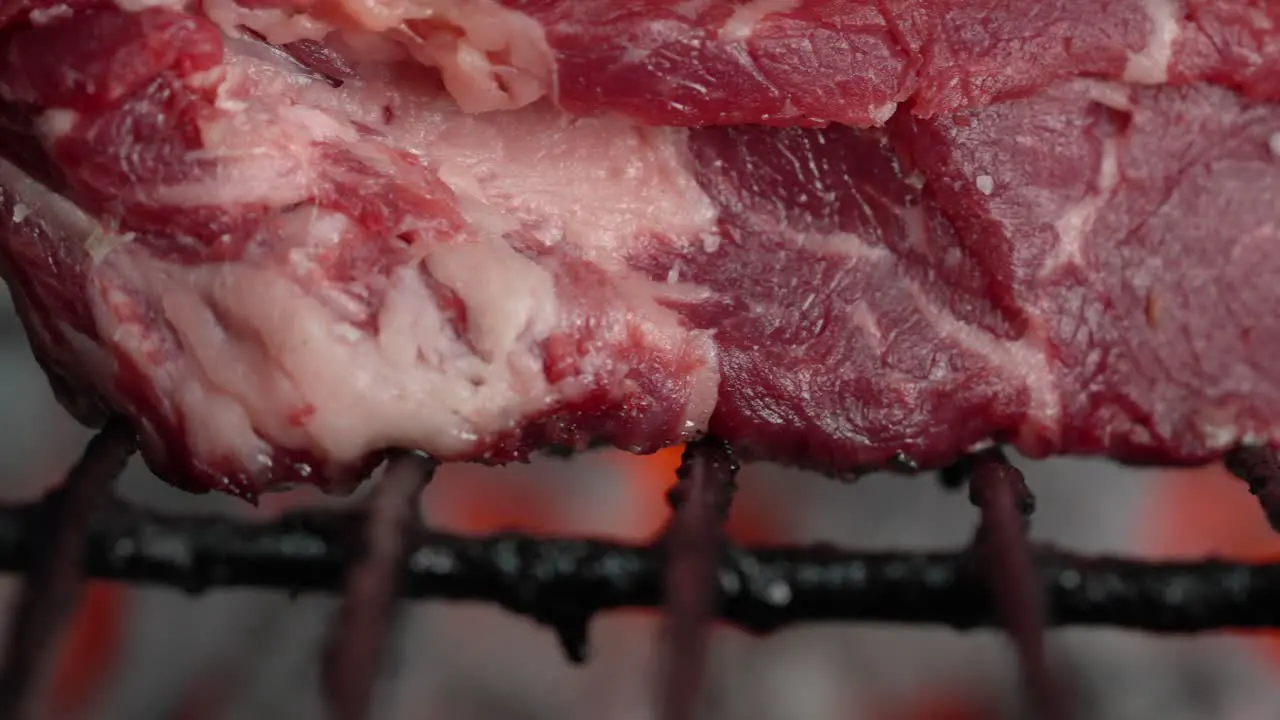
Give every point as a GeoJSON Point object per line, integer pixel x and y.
{"type": "Point", "coordinates": [597, 184]}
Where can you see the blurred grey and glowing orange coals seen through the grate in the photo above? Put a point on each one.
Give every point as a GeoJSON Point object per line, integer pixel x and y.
{"type": "Point", "coordinates": [153, 654]}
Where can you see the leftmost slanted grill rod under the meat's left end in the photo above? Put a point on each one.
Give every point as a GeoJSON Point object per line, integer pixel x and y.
{"type": "Point", "coordinates": [58, 537]}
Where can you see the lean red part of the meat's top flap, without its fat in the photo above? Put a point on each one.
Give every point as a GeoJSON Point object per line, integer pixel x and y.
{"type": "Point", "coordinates": [854, 61]}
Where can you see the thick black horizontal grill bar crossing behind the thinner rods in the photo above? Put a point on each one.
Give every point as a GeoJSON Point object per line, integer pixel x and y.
{"type": "Point", "coordinates": [561, 581]}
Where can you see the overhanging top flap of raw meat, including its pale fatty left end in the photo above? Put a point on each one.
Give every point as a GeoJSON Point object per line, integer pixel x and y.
{"type": "Point", "coordinates": [787, 62]}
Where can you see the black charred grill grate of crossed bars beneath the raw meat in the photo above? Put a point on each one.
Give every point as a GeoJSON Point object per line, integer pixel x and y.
{"type": "Point", "coordinates": [378, 554]}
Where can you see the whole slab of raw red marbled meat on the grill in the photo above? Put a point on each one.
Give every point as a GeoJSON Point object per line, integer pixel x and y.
{"type": "Point", "coordinates": [286, 236]}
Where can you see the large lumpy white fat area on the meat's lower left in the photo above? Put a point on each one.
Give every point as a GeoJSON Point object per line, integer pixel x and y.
{"type": "Point", "coordinates": [257, 344]}
